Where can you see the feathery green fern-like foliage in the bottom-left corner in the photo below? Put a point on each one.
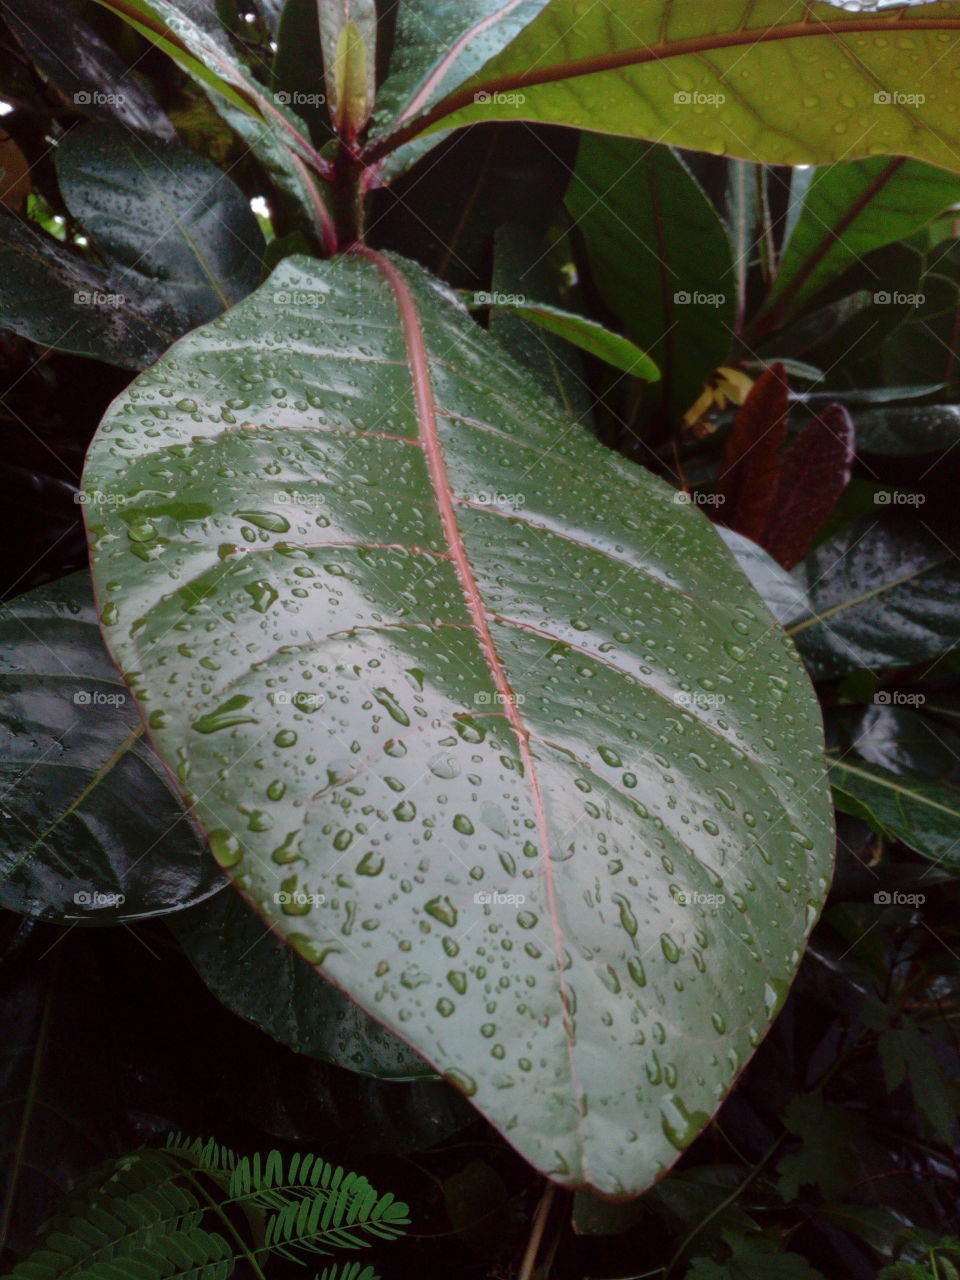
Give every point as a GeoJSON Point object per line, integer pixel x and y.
{"type": "Point", "coordinates": [164, 1215]}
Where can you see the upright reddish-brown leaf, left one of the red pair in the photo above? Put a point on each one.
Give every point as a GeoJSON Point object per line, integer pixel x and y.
{"type": "Point", "coordinates": [752, 461]}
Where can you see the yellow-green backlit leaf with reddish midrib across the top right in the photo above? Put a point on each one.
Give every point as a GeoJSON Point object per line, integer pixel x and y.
{"type": "Point", "coordinates": [776, 81]}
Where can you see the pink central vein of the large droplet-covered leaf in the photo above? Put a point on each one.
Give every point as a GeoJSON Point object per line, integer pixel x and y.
{"type": "Point", "coordinates": [440, 479]}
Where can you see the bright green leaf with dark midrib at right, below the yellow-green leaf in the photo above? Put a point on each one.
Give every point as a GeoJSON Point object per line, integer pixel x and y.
{"type": "Point", "coordinates": [851, 211]}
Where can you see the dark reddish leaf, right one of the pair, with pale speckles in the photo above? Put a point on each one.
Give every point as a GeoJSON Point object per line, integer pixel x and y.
{"type": "Point", "coordinates": [816, 473]}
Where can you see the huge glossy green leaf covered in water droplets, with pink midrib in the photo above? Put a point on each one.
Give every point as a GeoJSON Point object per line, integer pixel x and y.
{"type": "Point", "coordinates": [418, 646]}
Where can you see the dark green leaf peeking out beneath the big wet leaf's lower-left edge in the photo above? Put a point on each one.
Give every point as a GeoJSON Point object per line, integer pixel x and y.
{"type": "Point", "coordinates": [252, 972]}
